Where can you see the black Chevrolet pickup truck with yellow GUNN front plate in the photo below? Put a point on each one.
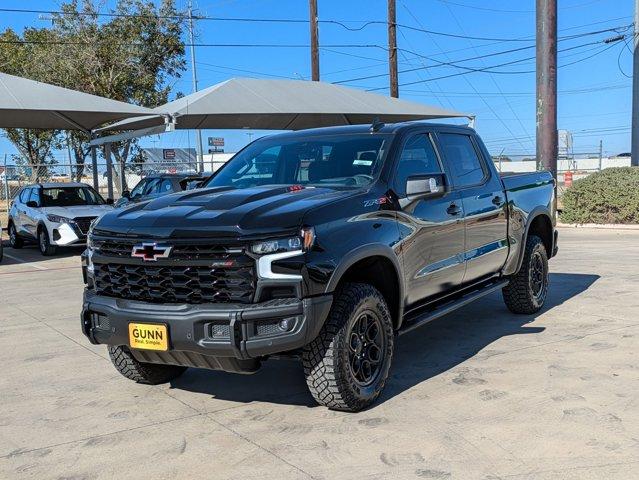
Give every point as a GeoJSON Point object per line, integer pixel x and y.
{"type": "Point", "coordinates": [323, 245]}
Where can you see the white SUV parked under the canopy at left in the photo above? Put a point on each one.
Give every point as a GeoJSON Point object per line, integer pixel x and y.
{"type": "Point", "coordinates": [54, 214]}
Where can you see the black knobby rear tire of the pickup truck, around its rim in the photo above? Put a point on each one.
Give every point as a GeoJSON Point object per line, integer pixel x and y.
{"type": "Point", "coordinates": [519, 295]}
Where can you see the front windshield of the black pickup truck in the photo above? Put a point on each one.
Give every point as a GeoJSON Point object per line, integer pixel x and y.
{"type": "Point", "coordinates": [347, 160]}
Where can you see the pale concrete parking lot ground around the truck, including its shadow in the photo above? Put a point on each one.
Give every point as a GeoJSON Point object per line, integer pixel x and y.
{"type": "Point", "coordinates": [480, 394]}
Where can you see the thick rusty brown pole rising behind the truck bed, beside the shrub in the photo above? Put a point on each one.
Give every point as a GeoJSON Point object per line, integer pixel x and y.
{"type": "Point", "coordinates": [547, 138]}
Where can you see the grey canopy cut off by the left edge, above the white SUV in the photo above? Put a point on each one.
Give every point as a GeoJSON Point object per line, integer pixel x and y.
{"type": "Point", "coordinates": [26, 103]}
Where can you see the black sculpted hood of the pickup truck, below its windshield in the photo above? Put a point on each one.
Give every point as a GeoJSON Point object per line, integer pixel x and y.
{"type": "Point", "coordinates": [220, 212]}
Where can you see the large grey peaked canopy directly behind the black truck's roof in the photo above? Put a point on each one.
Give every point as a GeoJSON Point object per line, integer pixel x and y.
{"type": "Point", "coordinates": [266, 104]}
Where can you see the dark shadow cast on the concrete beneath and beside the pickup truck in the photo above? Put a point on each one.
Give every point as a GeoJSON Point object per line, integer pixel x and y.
{"type": "Point", "coordinates": [419, 356]}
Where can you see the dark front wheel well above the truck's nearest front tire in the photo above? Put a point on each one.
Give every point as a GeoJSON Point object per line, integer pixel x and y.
{"type": "Point", "coordinates": [379, 272]}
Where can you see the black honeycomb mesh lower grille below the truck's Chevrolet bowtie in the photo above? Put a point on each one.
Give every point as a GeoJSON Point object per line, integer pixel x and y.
{"type": "Point", "coordinates": [234, 282]}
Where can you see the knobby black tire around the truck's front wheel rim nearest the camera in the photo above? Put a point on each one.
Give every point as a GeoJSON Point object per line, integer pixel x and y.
{"type": "Point", "coordinates": [329, 375]}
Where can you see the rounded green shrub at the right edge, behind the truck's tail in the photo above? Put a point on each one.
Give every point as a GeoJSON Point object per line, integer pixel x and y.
{"type": "Point", "coordinates": [609, 196]}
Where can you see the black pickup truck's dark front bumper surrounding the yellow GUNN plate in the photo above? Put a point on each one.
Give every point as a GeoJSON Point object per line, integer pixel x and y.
{"type": "Point", "coordinates": [229, 337]}
